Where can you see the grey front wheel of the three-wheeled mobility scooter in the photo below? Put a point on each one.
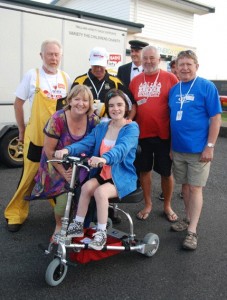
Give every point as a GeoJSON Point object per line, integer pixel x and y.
{"type": "Point", "coordinates": [55, 272]}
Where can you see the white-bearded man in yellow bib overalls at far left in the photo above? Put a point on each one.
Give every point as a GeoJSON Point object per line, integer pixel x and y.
{"type": "Point", "coordinates": [44, 87]}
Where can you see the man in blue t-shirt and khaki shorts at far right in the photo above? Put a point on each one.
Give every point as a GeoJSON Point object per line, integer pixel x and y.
{"type": "Point", "coordinates": [195, 119]}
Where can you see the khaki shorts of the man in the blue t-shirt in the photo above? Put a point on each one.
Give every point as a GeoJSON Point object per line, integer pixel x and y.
{"type": "Point", "coordinates": [187, 169]}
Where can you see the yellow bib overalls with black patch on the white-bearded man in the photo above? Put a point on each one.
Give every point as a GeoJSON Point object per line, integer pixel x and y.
{"type": "Point", "coordinates": [42, 108]}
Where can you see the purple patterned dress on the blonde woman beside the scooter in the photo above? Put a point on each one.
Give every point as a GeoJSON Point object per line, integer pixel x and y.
{"type": "Point", "coordinates": [49, 183]}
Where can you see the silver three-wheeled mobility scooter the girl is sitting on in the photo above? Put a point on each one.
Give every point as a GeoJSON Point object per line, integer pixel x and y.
{"type": "Point", "coordinates": [57, 269]}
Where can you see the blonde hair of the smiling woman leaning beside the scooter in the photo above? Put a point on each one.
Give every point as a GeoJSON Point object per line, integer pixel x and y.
{"type": "Point", "coordinates": [85, 91]}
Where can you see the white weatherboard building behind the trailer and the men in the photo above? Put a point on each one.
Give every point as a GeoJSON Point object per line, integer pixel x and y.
{"type": "Point", "coordinates": [168, 24]}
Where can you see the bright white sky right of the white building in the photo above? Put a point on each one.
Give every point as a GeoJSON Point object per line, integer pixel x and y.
{"type": "Point", "coordinates": [210, 34]}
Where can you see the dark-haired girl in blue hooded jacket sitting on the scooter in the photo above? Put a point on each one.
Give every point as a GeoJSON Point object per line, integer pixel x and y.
{"type": "Point", "coordinates": [112, 145]}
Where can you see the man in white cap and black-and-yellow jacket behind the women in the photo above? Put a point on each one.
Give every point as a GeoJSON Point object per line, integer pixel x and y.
{"type": "Point", "coordinates": [99, 80]}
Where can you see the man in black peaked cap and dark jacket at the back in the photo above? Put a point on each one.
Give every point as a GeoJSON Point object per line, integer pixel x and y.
{"type": "Point", "coordinates": [128, 71]}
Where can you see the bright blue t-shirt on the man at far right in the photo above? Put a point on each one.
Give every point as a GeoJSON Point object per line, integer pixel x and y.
{"type": "Point", "coordinates": [190, 120]}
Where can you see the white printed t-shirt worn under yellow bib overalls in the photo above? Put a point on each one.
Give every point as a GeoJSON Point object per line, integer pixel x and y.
{"type": "Point", "coordinates": [52, 85]}
